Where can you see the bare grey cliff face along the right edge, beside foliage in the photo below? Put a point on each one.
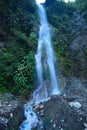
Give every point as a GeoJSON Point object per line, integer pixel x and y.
{"type": "Point", "coordinates": [78, 46]}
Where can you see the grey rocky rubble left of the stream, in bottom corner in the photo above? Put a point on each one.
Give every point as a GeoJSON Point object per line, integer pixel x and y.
{"type": "Point", "coordinates": [11, 112]}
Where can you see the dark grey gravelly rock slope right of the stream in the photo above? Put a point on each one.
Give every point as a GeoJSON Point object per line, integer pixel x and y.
{"type": "Point", "coordinates": [57, 114]}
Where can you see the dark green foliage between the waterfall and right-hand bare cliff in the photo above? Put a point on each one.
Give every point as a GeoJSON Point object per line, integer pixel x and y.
{"type": "Point", "coordinates": [60, 16]}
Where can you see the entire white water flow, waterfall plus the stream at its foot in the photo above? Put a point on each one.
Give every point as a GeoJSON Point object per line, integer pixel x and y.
{"type": "Point", "coordinates": [43, 92]}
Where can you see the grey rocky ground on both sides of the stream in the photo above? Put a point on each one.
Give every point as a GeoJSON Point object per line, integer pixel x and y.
{"type": "Point", "coordinates": [67, 111]}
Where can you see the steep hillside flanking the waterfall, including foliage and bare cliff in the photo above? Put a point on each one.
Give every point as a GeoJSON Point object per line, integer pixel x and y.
{"type": "Point", "coordinates": [19, 27]}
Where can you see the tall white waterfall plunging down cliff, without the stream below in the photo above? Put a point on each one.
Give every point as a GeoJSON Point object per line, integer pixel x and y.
{"type": "Point", "coordinates": [41, 94]}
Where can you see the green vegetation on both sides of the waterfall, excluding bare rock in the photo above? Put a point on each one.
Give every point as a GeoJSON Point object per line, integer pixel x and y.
{"type": "Point", "coordinates": [19, 31]}
